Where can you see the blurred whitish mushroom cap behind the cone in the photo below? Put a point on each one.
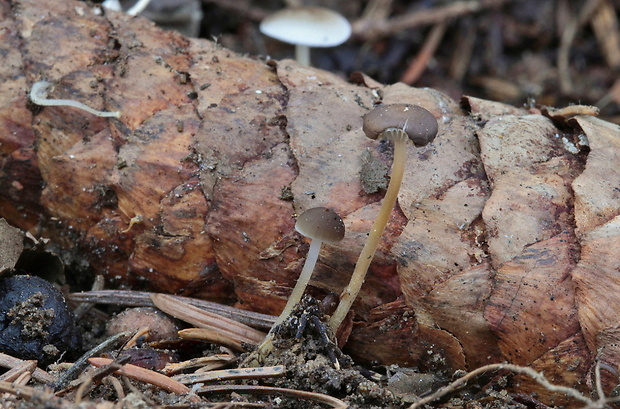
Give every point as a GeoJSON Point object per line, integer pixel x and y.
{"type": "Point", "coordinates": [309, 26]}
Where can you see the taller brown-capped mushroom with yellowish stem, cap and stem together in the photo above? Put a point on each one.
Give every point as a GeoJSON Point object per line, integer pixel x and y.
{"type": "Point", "coordinates": [398, 122]}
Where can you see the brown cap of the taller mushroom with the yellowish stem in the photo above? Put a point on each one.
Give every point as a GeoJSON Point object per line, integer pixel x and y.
{"type": "Point", "coordinates": [419, 124]}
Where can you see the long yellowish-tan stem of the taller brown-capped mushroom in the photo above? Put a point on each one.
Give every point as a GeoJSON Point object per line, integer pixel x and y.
{"type": "Point", "coordinates": [350, 293]}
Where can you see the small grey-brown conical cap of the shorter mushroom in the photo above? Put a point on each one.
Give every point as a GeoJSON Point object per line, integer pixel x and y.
{"type": "Point", "coordinates": [320, 223]}
